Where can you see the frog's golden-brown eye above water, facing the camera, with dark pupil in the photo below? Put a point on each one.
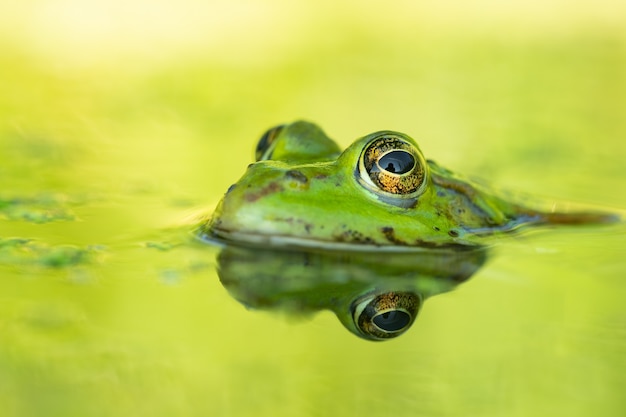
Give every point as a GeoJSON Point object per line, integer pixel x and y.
{"type": "Point", "coordinates": [394, 168]}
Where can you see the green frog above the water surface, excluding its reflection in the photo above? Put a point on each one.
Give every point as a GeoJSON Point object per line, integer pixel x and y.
{"type": "Point", "coordinates": [379, 194]}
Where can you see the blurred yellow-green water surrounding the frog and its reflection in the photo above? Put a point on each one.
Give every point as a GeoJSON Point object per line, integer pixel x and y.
{"type": "Point", "coordinates": [121, 120]}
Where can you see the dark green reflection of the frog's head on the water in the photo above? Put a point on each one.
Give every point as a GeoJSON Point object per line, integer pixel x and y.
{"type": "Point", "coordinates": [375, 295]}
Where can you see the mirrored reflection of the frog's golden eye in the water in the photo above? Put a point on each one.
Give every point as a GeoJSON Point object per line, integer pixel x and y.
{"type": "Point", "coordinates": [384, 316]}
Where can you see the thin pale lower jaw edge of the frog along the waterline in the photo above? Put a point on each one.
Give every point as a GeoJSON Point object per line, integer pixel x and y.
{"type": "Point", "coordinates": [225, 237]}
